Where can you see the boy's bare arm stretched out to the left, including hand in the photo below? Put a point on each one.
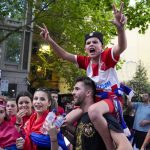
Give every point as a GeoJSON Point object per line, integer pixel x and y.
{"type": "Point", "coordinates": [59, 51]}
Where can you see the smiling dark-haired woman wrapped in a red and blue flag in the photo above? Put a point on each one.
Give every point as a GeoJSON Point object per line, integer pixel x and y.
{"type": "Point", "coordinates": [35, 138]}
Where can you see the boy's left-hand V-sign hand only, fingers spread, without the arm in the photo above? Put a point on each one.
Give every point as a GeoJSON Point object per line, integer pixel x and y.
{"type": "Point", "coordinates": [44, 32]}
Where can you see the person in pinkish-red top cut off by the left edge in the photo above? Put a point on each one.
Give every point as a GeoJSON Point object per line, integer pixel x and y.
{"type": "Point", "coordinates": [8, 132]}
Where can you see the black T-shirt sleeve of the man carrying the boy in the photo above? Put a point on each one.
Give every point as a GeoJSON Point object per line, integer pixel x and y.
{"type": "Point", "coordinates": [113, 123]}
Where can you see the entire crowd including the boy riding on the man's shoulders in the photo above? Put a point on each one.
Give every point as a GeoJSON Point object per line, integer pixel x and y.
{"type": "Point", "coordinates": [95, 119]}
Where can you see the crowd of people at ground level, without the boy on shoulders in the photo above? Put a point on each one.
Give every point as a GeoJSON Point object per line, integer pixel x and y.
{"type": "Point", "coordinates": [22, 121]}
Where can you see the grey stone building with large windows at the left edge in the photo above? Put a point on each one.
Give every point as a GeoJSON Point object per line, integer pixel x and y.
{"type": "Point", "coordinates": [15, 52]}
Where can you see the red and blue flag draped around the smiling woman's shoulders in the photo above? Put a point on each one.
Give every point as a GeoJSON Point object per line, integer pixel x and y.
{"type": "Point", "coordinates": [34, 138]}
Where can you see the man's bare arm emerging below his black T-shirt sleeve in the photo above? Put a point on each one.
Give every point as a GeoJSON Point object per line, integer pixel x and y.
{"type": "Point", "coordinates": [121, 141]}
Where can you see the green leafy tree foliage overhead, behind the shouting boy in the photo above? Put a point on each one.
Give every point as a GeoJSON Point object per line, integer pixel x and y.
{"type": "Point", "coordinates": [69, 20]}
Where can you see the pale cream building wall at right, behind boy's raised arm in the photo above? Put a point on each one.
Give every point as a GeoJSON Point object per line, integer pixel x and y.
{"type": "Point", "coordinates": [137, 50]}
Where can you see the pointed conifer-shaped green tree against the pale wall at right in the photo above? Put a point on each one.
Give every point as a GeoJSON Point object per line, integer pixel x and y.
{"type": "Point", "coordinates": [140, 83]}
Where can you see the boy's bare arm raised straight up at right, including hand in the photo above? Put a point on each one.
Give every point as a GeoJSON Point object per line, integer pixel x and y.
{"type": "Point", "coordinates": [119, 21]}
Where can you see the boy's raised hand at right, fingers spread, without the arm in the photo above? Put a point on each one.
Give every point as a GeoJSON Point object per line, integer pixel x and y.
{"type": "Point", "coordinates": [119, 18]}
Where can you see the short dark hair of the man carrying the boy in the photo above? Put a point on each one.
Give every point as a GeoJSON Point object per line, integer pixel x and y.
{"type": "Point", "coordinates": [87, 82]}
